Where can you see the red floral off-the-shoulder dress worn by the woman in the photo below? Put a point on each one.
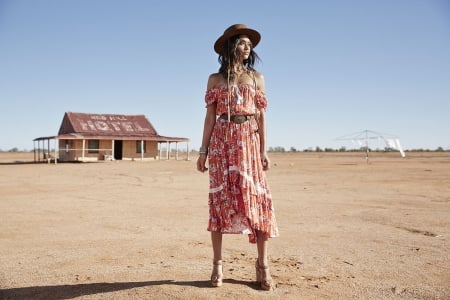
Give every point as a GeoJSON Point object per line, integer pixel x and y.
{"type": "Point", "coordinates": [239, 196]}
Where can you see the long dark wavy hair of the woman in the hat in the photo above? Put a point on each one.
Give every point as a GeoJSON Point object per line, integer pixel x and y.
{"type": "Point", "coordinates": [228, 59]}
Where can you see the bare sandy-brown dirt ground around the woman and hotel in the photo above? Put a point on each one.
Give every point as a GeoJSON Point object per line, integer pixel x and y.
{"type": "Point", "coordinates": [137, 230]}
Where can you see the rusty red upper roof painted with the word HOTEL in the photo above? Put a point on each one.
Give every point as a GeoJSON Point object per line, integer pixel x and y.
{"type": "Point", "coordinates": [106, 125]}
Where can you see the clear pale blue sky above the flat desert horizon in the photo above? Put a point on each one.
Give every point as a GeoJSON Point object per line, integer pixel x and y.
{"type": "Point", "coordinates": [331, 67]}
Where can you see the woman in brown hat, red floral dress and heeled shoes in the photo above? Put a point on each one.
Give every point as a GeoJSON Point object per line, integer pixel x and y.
{"type": "Point", "coordinates": [234, 140]}
